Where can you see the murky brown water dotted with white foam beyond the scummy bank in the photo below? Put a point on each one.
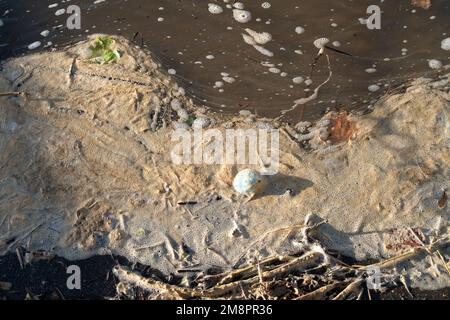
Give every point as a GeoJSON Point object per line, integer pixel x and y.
{"type": "Point", "coordinates": [209, 56]}
